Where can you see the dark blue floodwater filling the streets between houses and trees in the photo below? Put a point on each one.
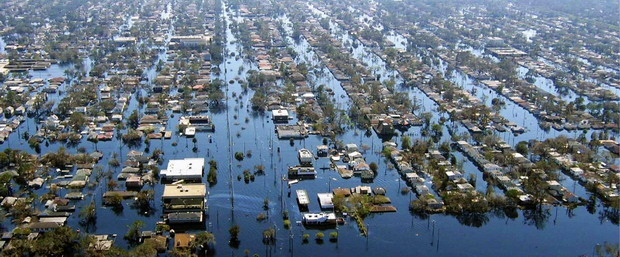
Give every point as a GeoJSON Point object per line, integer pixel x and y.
{"type": "Point", "coordinates": [553, 232]}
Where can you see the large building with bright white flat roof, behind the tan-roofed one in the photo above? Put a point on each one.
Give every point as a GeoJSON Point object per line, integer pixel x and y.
{"type": "Point", "coordinates": [188, 169]}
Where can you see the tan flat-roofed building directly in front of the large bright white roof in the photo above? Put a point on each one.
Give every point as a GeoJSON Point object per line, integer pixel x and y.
{"type": "Point", "coordinates": [184, 203]}
